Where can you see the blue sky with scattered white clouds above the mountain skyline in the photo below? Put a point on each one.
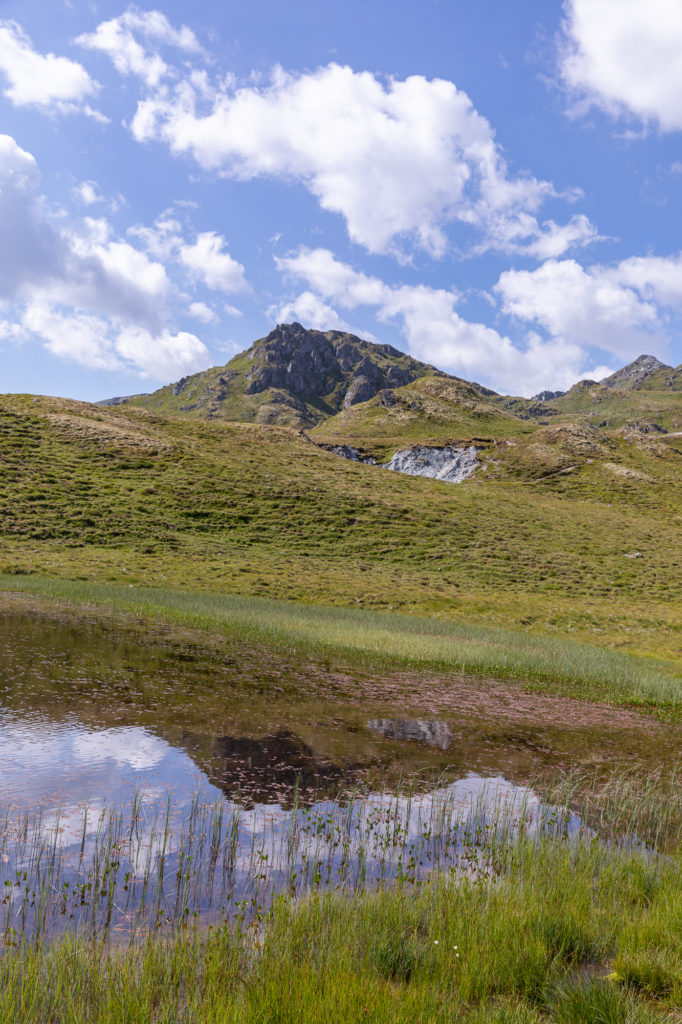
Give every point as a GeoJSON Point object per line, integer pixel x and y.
{"type": "Point", "coordinates": [493, 188]}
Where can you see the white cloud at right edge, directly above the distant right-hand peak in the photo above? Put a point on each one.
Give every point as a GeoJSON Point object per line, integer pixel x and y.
{"type": "Point", "coordinates": [622, 310]}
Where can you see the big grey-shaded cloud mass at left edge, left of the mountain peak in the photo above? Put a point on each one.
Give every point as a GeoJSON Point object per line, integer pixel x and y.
{"type": "Point", "coordinates": [91, 296]}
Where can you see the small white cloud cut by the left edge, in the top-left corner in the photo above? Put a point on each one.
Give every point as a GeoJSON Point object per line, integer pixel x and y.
{"type": "Point", "coordinates": [49, 82]}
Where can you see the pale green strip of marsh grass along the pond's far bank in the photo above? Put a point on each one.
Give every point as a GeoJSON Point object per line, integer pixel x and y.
{"type": "Point", "coordinates": [386, 641]}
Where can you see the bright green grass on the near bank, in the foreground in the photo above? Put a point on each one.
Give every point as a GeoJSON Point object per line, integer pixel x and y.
{"type": "Point", "coordinates": [559, 930]}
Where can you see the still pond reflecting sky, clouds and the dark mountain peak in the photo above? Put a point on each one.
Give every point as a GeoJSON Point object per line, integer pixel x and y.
{"type": "Point", "coordinates": [154, 781]}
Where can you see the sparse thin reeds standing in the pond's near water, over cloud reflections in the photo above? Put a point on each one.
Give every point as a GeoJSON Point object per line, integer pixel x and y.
{"type": "Point", "coordinates": [113, 873]}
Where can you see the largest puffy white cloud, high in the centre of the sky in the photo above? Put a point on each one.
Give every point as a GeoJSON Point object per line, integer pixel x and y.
{"type": "Point", "coordinates": [399, 160]}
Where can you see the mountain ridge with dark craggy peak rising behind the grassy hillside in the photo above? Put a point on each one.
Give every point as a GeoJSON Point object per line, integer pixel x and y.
{"type": "Point", "coordinates": [346, 392]}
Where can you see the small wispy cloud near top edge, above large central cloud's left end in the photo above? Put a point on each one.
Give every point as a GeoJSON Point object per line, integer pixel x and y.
{"type": "Point", "coordinates": [118, 39]}
